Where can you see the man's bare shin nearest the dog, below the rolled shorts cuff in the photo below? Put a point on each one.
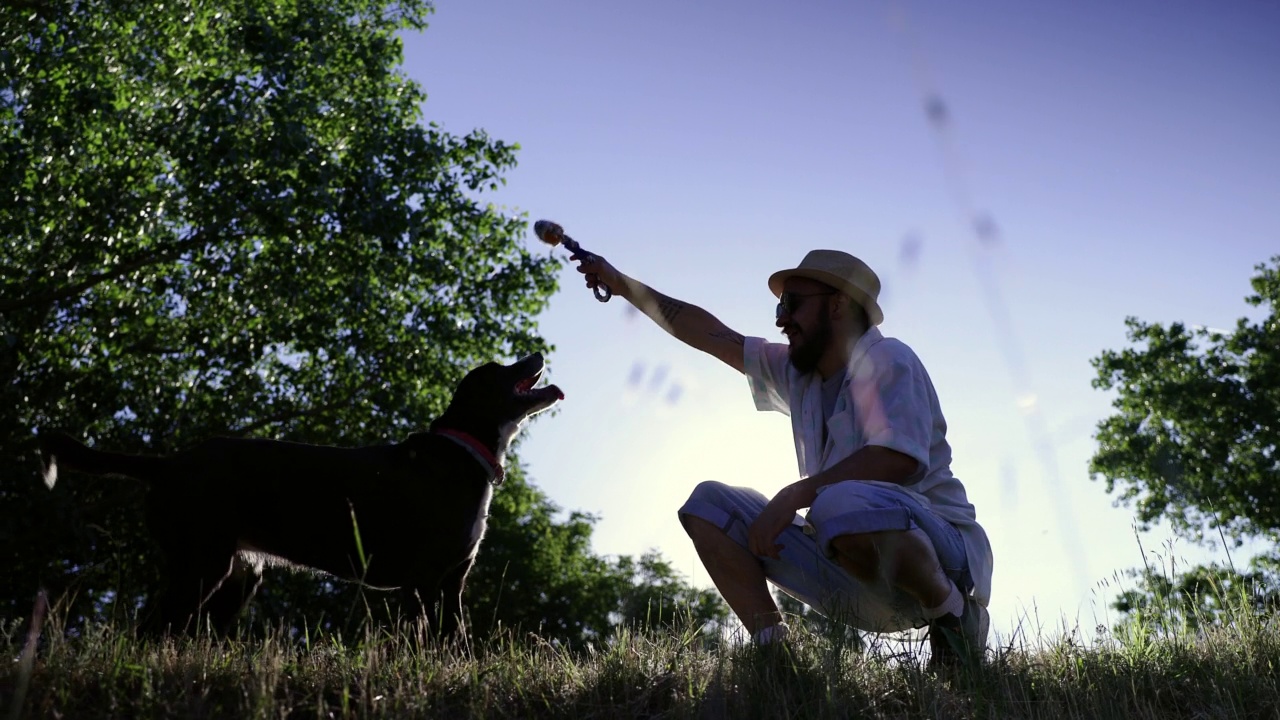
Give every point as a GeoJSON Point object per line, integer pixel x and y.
{"type": "Point", "coordinates": [738, 575]}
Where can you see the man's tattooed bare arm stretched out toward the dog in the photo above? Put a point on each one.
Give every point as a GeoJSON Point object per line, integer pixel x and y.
{"type": "Point", "coordinates": [688, 323]}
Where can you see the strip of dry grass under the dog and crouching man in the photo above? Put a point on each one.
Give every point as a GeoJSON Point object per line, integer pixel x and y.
{"type": "Point", "coordinates": [1231, 671]}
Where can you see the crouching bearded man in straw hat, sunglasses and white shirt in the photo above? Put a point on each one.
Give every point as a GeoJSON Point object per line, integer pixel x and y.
{"type": "Point", "coordinates": [890, 541]}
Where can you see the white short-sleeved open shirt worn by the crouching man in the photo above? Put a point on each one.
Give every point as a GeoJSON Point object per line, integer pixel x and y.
{"type": "Point", "coordinates": [888, 400]}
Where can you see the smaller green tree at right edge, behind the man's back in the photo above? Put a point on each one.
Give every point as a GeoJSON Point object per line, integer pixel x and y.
{"type": "Point", "coordinates": [1195, 440]}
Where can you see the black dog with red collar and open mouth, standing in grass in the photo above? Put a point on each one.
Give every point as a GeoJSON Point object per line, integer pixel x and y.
{"type": "Point", "coordinates": [408, 516]}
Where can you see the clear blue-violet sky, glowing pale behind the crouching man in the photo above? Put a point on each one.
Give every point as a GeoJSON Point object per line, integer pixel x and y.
{"type": "Point", "coordinates": [1022, 176]}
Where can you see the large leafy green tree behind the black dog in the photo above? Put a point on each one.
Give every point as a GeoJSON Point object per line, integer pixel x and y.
{"type": "Point", "coordinates": [231, 220]}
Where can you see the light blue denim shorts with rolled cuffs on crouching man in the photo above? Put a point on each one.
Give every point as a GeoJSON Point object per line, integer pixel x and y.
{"type": "Point", "coordinates": [807, 571]}
